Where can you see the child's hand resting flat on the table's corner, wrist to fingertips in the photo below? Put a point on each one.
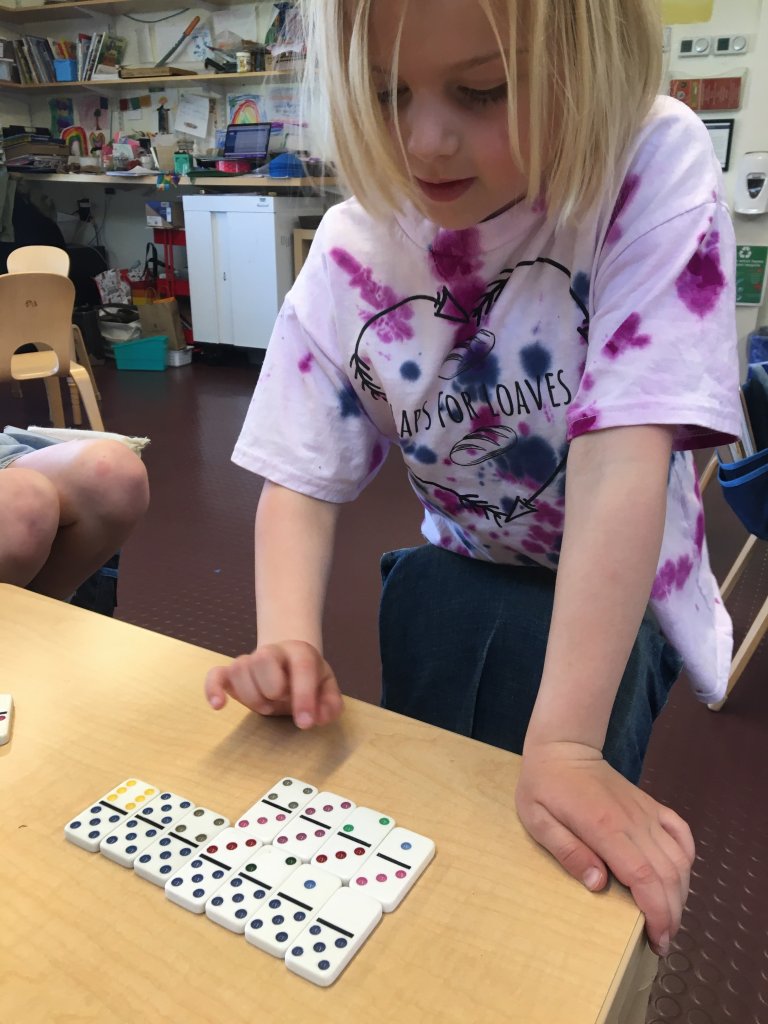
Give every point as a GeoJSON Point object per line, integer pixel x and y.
{"type": "Point", "coordinates": [591, 820]}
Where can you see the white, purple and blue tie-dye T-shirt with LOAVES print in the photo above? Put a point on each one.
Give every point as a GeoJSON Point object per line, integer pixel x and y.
{"type": "Point", "coordinates": [481, 354]}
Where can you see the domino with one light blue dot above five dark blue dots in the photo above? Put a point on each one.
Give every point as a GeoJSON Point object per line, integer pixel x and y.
{"type": "Point", "coordinates": [290, 908]}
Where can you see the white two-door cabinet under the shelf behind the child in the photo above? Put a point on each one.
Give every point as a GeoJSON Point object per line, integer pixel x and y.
{"type": "Point", "coordinates": [240, 254]}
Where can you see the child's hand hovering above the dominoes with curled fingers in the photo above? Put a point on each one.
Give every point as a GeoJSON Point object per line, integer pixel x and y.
{"type": "Point", "coordinates": [287, 678]}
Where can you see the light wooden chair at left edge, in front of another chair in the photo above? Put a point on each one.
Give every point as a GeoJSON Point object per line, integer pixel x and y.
{"type": "Point", "coordinates": [37, 310]}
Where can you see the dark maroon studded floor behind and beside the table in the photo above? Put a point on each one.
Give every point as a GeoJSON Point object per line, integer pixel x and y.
{"type": "Point", "coordinates": [188, 572]}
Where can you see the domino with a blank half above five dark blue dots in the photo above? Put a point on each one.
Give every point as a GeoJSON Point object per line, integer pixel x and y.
{"type": "Point", "coordinates": [327, 946]}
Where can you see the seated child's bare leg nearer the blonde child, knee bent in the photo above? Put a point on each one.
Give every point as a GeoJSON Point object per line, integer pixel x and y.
{"type": "Point", "coordinates": [103, 494]}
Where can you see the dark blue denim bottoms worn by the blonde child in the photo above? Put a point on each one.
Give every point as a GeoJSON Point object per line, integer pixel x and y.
{"type": "Point", "coordinates": [463, 644]}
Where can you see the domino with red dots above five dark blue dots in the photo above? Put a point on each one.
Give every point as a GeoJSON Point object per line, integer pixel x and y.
{"type": "Point", "coordinates": [211, 868]}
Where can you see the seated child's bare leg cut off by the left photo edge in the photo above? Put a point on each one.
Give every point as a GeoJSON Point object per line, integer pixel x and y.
{"type": "Point", "coordinates": [29, 524]}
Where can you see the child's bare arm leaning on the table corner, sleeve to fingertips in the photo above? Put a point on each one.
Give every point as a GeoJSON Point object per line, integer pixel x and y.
{"type": "Point", "coordinates": [571, 801]}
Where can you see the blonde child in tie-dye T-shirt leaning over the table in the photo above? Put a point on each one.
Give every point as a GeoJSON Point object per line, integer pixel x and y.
{"type": "Point", "coordinates": [531, 295]}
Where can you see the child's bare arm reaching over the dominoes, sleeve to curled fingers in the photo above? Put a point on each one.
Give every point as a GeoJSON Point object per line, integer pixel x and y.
{"type": "Point", "coordinates": [287, 674]}
